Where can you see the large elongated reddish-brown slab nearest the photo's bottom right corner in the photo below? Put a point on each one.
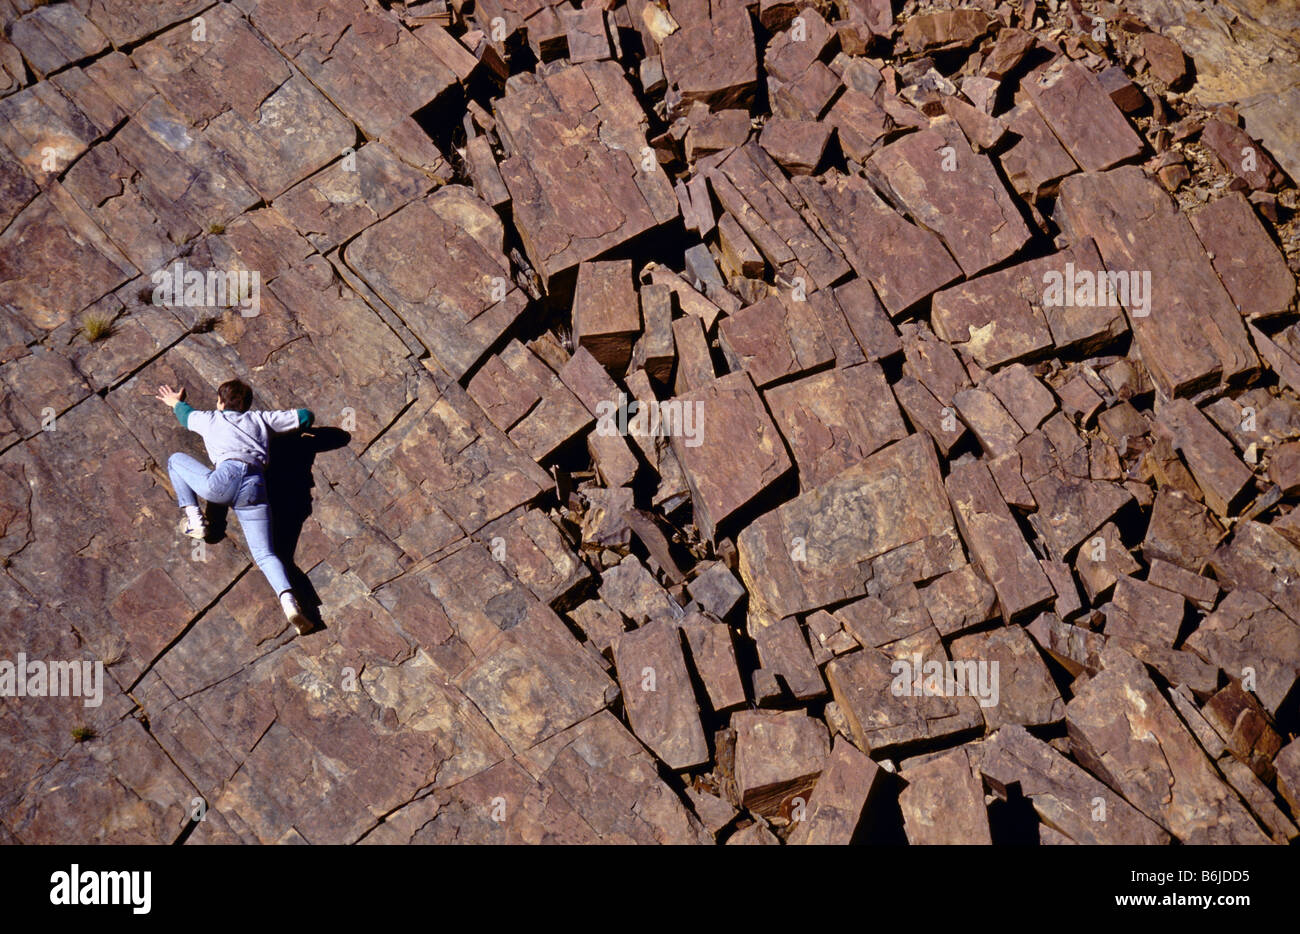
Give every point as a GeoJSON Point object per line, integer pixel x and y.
{"type": "Point", "coordinates": [1126, 733]}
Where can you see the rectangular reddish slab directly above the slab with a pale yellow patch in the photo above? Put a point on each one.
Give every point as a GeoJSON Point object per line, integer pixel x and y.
{"type": "Point", "coordinates": [950, 189]}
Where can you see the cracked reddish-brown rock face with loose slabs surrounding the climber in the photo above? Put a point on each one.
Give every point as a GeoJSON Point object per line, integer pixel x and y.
{"type": "Point", "coordinates": [733, 423]}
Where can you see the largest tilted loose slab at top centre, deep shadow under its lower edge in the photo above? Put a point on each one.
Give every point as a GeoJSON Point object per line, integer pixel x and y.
{"type": "Point", "coordinates": [575, 168]}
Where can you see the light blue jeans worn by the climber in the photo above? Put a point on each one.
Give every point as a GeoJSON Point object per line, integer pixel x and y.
{"type": "Point", "coordinates": [241, 487]}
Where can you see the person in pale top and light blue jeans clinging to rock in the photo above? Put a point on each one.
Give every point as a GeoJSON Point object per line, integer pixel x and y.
{"type": "Point", "coordinates": [239, 444]}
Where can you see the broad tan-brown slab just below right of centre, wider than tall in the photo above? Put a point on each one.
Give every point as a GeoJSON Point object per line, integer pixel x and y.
{"type": "Point", "coordinates": [885, 518]}
